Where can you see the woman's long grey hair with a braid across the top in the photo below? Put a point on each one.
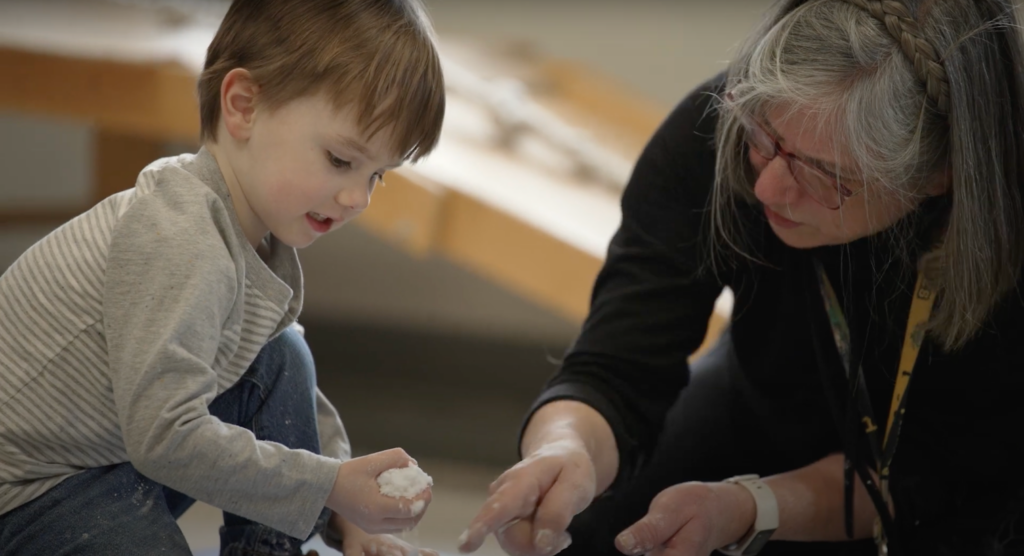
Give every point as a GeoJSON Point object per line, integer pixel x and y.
{"type": "Point", "coordinates": [947, 100]}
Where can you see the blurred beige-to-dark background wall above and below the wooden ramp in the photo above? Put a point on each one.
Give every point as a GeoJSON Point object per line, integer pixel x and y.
{"type": "Point", "coordinates": [417, 352]}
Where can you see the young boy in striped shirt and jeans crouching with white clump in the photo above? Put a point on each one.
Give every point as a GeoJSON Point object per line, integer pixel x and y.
{"type": "Point", "coordinates": [148, 357]}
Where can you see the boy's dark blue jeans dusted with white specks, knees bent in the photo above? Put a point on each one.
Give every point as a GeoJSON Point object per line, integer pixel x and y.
{"type": "Point", "coordinates": [115, 510]}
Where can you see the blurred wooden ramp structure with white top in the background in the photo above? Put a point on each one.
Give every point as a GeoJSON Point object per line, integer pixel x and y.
{"type": "Point", "coordinates": [523, 190]}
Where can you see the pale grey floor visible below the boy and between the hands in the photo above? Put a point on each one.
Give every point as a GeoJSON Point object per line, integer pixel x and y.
{"type": "Point", "coordinates": [459, 492]}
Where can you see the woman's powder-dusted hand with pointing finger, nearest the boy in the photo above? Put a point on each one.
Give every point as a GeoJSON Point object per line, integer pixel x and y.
{"type": "Point", "coordinates": [532, 504]}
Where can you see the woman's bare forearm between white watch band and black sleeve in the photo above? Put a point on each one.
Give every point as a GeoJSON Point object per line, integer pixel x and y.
{"type": "Point", "coordinates": [812, 505]}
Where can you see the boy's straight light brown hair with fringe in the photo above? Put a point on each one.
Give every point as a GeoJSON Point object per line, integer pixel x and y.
{"type": "Point", "coordinates": [376, 56]}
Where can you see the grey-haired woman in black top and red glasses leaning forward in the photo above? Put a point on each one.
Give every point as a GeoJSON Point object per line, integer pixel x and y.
{"type": "Point", "coordinates": [856, 180]}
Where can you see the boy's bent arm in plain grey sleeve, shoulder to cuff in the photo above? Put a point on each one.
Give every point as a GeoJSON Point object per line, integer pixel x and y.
{"type": "Point", "coordinates": [170, 284]}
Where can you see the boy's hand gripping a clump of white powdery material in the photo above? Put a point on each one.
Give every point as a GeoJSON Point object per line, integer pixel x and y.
{"type": "Point", "coordinates": [357, 496]}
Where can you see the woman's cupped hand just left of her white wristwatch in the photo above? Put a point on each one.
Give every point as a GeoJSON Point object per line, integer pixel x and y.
{"type": "Point", "coordinates": [692, 520]}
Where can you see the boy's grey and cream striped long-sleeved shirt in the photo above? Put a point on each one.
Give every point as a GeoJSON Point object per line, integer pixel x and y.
{"type": "Point", "coordinates": [120, 328]}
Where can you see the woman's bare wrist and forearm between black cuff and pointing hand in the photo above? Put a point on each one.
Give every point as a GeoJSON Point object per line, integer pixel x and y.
{"type": "Point", "coordinates": [568, 421]}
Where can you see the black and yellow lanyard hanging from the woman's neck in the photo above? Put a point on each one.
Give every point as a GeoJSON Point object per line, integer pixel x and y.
{"type": "Point", "coordinates": [884, 450]}
